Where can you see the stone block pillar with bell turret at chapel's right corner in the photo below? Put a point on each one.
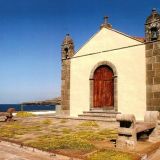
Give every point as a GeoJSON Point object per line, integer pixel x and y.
{"type": "Point", "coordinates": [152, 34]}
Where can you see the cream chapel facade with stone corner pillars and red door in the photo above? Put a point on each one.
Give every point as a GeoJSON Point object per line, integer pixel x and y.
{"type": "Point", "coordinates": [113, 71]}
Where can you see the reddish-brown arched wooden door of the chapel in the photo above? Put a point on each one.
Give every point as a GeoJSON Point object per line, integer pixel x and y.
{"type": "Point", "coordinates": [103, 88]}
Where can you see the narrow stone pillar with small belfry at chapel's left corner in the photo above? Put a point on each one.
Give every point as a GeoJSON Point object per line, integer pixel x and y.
{"type": "Point", "coordinates": [67, 54]}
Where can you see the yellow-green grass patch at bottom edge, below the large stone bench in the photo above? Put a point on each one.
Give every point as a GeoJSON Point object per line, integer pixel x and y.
{"type": "Point", "coordinates": [110, 155]}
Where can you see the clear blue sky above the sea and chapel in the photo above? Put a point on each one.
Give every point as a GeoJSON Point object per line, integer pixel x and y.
{"type": "Point", "coordinates": [31, 33]}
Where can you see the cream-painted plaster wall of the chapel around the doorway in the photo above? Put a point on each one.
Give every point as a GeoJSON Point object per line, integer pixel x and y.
{"type": "Point", "coordinates": [130, 66]}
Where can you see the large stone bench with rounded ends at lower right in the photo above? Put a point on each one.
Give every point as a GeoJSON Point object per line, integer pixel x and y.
{"type": "Point", "coordinates": [129, 129]}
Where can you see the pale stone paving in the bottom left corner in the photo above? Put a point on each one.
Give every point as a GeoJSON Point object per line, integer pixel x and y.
{"type": "Point", "coordinates": [11, 151]}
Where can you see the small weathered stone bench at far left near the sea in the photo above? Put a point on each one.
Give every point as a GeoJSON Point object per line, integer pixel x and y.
{"type": "Point", "coordinates": [8, 115]}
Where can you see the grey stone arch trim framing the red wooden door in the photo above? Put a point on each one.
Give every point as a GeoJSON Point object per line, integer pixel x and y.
{"type": "Point", "coordinates": [112, 66]}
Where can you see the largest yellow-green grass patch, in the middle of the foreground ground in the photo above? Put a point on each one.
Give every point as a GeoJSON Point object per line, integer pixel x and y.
{"type": "Point", "coordinates": [81, 140]}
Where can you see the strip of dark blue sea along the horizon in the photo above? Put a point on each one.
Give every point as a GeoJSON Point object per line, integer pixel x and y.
{"type": "Point", "coordinates": [19, 107]}
